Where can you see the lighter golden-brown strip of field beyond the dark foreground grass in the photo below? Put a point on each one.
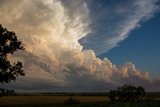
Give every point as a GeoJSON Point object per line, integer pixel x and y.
{"type": "Point", "coordinates": [49, 99]}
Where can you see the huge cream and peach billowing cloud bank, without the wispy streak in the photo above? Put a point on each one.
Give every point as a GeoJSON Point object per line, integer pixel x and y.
{"type": "Point", "coordinates": [54, 59]}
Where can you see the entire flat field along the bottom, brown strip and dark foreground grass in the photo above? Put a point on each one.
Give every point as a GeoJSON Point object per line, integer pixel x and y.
{"type": "Point", "coordinates": [85, 101]}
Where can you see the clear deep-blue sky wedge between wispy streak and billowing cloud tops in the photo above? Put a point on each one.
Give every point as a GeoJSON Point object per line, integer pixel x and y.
{"type": "Point", "coordinates": [142, 48]}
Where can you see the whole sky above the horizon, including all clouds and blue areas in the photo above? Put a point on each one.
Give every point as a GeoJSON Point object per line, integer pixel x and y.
{"type": "Point", "coordinates": [84, 45]}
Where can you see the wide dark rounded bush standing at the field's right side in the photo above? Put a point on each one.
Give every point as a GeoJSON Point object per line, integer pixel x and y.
{"type": "Point", "coordinates": [127, 93]}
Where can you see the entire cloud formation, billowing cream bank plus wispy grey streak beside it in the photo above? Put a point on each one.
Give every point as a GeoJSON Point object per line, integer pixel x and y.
{"type": "Point", "coordinates": [54, 60]}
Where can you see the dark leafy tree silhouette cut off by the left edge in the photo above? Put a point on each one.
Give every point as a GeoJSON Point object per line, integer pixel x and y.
{"type": "Point", "coordinates": [8, 45]}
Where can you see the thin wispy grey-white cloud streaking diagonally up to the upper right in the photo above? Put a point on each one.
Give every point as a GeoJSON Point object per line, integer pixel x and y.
{"type": "Point", "coordinates": [112, 24]}
